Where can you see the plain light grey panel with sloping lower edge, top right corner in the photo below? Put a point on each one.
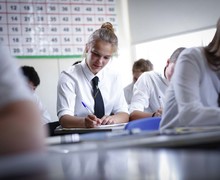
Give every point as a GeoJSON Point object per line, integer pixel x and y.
{"type": "Point", "coordinates": [154, 19]}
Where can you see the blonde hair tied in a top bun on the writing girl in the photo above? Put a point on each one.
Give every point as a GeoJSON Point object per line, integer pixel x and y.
{"type": "Point", "coordinates": [105, 33]}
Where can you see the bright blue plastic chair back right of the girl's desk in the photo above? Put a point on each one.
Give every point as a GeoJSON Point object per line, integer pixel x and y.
{"type": "Point", "coordinates": [144, 124]}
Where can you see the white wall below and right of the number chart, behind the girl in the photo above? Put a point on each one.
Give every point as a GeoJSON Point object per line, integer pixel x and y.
{"type": "Point", "coordinates": [49, 69]}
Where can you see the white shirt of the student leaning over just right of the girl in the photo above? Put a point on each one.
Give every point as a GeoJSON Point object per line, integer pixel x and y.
{"type": "Point", "coordinates": [148, 92]}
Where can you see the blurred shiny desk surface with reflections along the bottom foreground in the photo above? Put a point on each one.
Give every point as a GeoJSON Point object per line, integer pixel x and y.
{"type": "Point", "coordinates": [113, 164]}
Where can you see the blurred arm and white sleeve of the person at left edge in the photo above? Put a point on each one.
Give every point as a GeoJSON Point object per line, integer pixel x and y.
{"type": "Point", "coordinates": [20, 126]}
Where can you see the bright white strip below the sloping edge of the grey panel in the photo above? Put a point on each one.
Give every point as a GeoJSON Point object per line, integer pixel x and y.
{"type": "Point", "coordinates": [159, 51]}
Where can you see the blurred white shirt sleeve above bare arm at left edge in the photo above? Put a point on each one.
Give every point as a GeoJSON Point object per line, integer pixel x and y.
{"type": "Point", "coordinates": [12, 83]}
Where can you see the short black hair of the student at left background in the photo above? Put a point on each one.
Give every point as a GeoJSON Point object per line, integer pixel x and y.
{"type": "Point", "coordinates": [30, 73]}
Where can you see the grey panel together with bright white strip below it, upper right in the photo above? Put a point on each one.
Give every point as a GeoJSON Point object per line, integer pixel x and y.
{"type": "Point", "coordinates": [157, 28]}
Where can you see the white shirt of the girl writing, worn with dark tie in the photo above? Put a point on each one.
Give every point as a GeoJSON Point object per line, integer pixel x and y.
{"type": "Point", "coordinates": [75, 87]}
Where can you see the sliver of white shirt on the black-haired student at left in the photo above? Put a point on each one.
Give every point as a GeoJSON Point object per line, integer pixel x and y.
{"type": "Point", "coordinates": [45, 116]}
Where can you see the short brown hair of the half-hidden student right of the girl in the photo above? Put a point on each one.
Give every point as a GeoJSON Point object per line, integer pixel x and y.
{"type": "Point", "coordinates": [143, 65]}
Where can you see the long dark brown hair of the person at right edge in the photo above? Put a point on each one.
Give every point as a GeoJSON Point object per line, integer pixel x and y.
{"type": "Point", "coordinates": [212, 51]}
